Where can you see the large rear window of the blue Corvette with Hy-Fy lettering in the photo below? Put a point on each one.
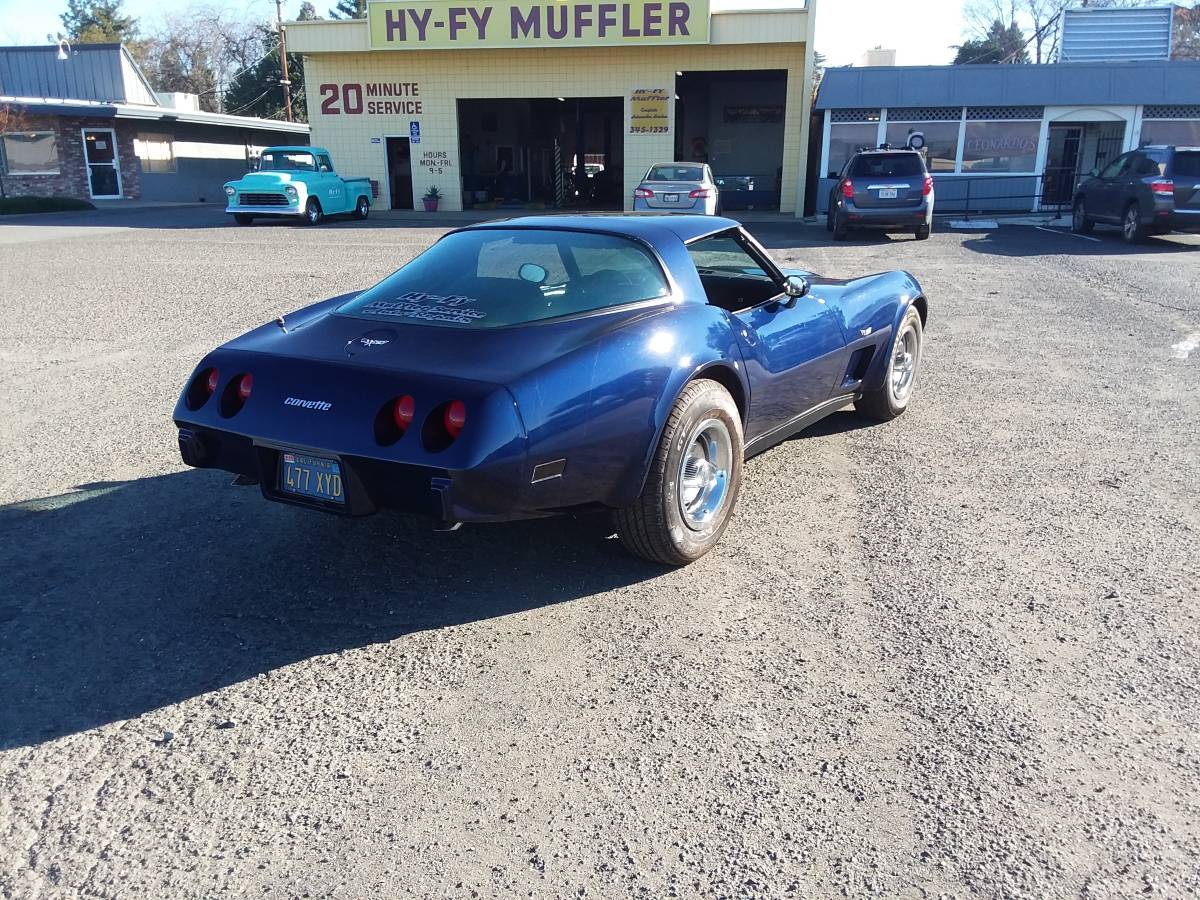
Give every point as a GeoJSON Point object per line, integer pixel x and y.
{"type": "Point", "coordinates": [493, 278]}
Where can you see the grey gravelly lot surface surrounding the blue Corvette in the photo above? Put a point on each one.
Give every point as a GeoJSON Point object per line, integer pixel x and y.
{"type": "Point", "coordinates": [952, 656]}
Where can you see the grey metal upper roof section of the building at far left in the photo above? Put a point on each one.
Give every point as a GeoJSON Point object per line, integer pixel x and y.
{"type": "Point", "coordinates": [100, 73]}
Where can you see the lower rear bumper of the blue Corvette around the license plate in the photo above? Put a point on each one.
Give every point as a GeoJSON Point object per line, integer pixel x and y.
{"type": "Point", "coordinates": [370, 485]}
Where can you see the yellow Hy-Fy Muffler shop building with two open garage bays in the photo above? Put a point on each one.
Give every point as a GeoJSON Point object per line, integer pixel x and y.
{"type": "Point", "coordinates": [561, 105]}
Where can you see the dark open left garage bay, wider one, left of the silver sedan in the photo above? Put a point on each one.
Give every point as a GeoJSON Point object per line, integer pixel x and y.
{"type": "Point", "coordinates": [557, 153]}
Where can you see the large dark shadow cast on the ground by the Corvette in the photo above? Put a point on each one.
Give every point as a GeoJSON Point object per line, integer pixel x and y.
{"type": "Point", "coordinates": [123, 598]}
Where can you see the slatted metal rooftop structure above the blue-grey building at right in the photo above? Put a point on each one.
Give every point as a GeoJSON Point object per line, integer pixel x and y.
{"type": "Point", "coordinates": [1117, 34]}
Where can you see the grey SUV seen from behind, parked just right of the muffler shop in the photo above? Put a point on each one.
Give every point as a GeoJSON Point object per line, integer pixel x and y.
{"type": "Point", "coordinates": [886, 190]}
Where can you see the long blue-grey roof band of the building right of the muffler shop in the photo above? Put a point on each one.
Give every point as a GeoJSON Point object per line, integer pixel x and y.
{"type": "Point", "coordinates": [979, 86]}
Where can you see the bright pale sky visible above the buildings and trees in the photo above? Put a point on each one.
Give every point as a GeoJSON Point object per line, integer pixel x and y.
{"type": "Point", "coordinates": [922, 34]}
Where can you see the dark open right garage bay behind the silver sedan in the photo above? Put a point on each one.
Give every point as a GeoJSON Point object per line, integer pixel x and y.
{"type": "Point", "coordinates": [734, 121]}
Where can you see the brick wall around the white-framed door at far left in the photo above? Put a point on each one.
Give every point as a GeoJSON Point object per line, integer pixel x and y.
{"type": "Point", "coordinates": [73, 178]}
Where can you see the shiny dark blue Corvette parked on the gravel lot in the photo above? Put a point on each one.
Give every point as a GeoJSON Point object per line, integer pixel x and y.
{"type": "Point", "coordinates": [549, 365]}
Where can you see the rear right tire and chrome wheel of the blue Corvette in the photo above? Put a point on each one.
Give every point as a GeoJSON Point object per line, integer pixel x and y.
{"type": "Point", "coordinates": [657, 526]}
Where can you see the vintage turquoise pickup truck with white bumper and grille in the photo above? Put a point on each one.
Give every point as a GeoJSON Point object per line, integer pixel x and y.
{"type": "Point", "coordinates": [297, 182]}
